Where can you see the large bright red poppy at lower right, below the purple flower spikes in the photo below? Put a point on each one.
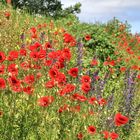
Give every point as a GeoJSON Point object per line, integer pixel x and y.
{"type": "Point", "coordinates": [120, 119]}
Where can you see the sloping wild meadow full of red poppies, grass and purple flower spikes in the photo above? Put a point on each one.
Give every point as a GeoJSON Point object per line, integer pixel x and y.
{"type": "Point", "coordinates": [66, 80]}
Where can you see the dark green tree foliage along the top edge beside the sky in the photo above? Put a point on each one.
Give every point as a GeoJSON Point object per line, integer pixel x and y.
{"type": "Point", "coordinates": [46, 7]}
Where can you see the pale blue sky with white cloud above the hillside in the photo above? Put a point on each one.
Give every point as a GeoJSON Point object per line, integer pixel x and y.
{"type": "Point", "coordinates": [104, 10]}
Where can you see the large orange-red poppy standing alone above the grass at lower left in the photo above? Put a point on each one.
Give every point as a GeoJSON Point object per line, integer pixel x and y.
{"type": "Point", "coordinates": [45, 101]}
